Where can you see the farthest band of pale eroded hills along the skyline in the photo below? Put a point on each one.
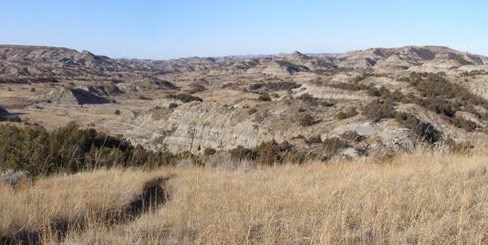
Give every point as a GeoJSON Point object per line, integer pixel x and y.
{"type": "Point", "coordinates": [39, 64]}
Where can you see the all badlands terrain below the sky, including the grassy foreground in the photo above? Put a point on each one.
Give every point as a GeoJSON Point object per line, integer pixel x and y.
{"type": "Point", "coordinates": [277, 149]}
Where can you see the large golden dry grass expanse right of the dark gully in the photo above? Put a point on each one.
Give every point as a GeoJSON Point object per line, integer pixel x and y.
{"type": "Point", "coordinates": [419, 198]}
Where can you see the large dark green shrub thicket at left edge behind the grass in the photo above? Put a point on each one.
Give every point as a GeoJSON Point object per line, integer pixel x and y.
{"type": "Point", "coordinates": [70, 149]}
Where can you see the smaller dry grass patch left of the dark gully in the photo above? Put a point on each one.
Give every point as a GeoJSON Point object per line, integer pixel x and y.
{"type": "Point", "coordinates": [67, 200]}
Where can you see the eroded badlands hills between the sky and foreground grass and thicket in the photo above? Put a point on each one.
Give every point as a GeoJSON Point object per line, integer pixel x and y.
{"type": "Point", "coordinates": [307, 106]}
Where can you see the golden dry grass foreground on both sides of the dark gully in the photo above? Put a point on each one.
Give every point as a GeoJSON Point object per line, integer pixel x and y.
{"type": "Point", "coordinates": [417, 198]}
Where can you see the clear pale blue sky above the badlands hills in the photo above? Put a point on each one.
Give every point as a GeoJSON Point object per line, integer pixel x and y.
{"type": "Point", "coordinates": [182, 28]}
